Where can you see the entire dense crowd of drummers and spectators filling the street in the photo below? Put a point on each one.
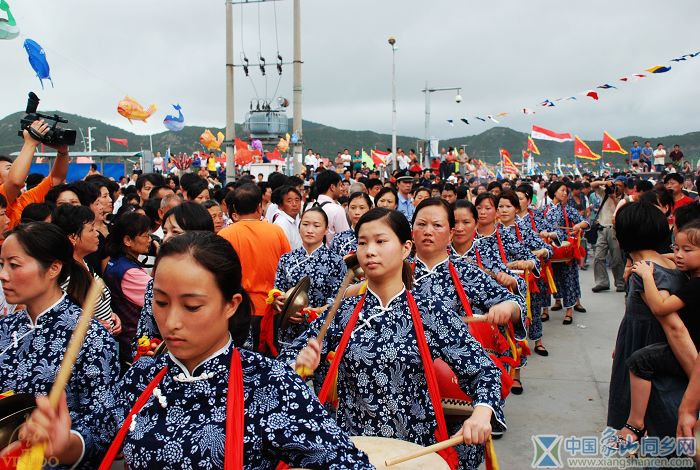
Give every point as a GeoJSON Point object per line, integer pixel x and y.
{"type": "Point", "coordinates": [459, 274]}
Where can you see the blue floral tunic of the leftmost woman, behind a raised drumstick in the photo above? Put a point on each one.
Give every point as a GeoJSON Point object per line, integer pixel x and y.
{"type": "Point", "coordinates": [31, 354]}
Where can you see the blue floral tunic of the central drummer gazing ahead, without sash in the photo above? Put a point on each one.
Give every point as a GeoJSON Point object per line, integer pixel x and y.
{"type": "Point", "coordinates": [382, 390]}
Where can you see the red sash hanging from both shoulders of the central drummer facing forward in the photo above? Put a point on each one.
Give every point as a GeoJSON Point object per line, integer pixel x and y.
{"type": "Point", "coordinates": [449, 455]}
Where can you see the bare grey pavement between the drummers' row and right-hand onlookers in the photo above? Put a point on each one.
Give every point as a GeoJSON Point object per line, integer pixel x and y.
{"type": "Point", "coordinates": [565, 393]}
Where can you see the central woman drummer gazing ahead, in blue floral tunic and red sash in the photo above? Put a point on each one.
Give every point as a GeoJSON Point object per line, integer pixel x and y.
{"type": "Point", "coordinates": [385, 342]}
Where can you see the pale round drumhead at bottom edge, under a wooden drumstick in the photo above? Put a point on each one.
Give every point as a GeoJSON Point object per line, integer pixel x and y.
{"type": "Point", "coordinates": [379, 449]}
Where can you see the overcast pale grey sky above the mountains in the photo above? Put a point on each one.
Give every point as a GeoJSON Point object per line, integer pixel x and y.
{"type": "Point", "coordinates": [505, 55]}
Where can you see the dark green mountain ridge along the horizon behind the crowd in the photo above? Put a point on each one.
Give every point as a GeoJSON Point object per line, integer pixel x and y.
{"type": "Point", "coordinates": [329, 140]}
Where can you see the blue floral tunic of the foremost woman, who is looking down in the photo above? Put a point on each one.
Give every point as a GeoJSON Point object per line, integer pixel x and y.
{"type": "Point", "coordinates": [185, 429]}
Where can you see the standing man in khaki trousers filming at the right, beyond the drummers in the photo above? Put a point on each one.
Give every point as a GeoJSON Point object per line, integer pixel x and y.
{"type": "Point", "coordinates": [611, 191]}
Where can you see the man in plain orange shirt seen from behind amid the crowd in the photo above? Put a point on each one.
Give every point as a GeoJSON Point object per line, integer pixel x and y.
{"type": "Point", "coordinates": [259, 245]}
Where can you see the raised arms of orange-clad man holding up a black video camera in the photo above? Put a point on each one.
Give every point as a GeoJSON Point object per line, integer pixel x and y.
{"type": "Point", "coordinates": [14, 174]}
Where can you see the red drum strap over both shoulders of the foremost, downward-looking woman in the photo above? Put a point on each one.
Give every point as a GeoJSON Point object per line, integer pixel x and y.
{"type": "Point", "coordinates": [233, 446]}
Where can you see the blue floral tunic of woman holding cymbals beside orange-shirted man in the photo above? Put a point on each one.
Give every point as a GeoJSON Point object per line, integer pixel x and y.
{"type": "Point", "coordinates": [326, 270]}
